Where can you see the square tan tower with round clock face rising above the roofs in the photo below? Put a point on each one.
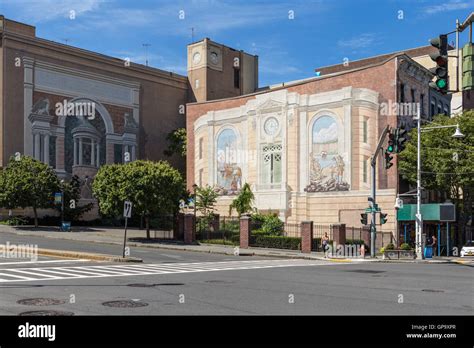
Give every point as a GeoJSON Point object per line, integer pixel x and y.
{"type": "Point", "coordinates": [216, 71]}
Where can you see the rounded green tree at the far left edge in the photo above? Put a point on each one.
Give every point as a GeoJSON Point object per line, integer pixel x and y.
{"type": "Point", "coordinates": [28, 183]}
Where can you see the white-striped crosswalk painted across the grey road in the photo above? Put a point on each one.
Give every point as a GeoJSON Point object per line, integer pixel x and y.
{"type": "Point", "coordinates": [94, 271]}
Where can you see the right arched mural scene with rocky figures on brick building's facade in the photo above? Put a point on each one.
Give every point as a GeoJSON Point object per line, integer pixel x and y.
{"type": "Point", "coordinates": [326, 171]}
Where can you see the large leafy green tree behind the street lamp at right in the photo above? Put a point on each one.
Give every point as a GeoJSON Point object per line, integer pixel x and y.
{"type": "Point", "coordinates": [447, 163]}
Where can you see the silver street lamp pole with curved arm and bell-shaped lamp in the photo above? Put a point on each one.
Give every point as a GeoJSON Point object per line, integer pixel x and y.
{"type": "Point", "coordinates": [419, 219]}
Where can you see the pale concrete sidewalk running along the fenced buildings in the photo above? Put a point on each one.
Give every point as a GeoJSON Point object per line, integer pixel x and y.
{"type": "Point", "coordinates": [114, 235]}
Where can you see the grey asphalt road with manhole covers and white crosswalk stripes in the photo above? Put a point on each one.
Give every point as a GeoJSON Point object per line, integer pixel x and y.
{"type": "Point", "coordinates": [188, 283]}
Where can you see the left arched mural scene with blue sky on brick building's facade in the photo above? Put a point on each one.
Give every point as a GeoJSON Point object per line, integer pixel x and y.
{"type": "Point", "coordinates": [229, 173]}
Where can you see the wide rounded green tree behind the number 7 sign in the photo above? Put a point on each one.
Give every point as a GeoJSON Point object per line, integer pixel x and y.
{"type": "Point", "coordinates": [154, 188]}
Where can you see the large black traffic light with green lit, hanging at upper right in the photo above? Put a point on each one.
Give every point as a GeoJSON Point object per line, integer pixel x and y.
{"type": "Point", "coordinates": [441, 59]}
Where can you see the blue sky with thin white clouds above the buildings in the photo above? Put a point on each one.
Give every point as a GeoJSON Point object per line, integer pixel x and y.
{"type": "Point", "coordinates": [291, 37]}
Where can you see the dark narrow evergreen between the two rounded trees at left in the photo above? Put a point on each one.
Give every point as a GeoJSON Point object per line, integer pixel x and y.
{"type": "Point", "coordinates": [72, 194]}
